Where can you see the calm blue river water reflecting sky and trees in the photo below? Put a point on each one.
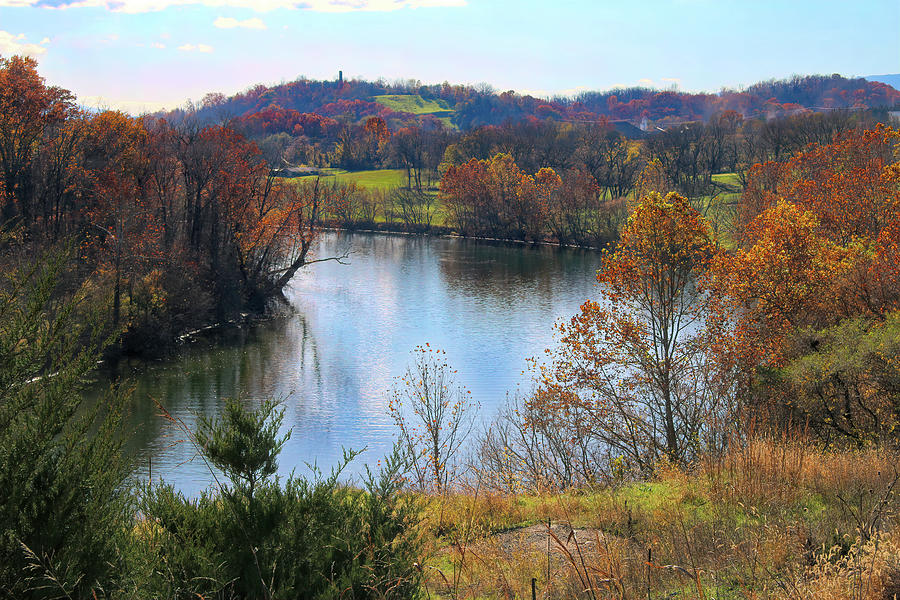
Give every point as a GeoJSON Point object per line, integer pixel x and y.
{"type": "Point", "coordinates": [491, 307]}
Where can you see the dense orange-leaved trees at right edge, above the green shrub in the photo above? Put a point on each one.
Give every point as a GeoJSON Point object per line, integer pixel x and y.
{"type": "Point", "coordinates": [819, 238]}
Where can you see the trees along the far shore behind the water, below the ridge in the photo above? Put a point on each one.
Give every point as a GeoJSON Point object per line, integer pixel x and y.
{"type": "Point", "coordinates": [567, 182]}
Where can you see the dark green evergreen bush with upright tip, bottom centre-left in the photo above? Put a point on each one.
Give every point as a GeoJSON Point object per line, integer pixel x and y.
{"type": "Point", "coordinates": [304, 538]}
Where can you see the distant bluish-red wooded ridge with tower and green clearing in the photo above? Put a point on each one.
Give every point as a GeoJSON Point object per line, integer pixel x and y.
{"type": "Point", "coordinates": [291, 107]}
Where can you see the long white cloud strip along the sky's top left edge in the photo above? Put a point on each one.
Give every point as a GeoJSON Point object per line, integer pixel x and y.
{"type": "Point", "coordinates": [143, 6]}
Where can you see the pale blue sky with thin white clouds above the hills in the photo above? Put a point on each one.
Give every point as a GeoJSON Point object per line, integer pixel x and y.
{"type": "Point", "coordinates": [143, 55]}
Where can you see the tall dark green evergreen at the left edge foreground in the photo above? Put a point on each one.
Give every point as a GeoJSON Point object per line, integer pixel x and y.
{"type": "Point", "coordinates": [63, 470]}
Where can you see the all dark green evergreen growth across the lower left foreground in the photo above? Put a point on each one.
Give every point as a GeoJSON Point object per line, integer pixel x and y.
{"type": "Point", "coordinates": [74, 525]}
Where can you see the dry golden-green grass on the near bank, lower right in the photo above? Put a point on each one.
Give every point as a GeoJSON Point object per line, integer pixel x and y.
{"type": "Point", "coordinates": [769, 519]}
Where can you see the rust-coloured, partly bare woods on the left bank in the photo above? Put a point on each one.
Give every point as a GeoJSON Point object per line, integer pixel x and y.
{"type": "Point", "coordinates": [178, 226]}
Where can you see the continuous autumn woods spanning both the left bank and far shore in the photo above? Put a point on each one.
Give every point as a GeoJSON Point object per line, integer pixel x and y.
{"type": "Point", "coordinates": [184, 225]}
